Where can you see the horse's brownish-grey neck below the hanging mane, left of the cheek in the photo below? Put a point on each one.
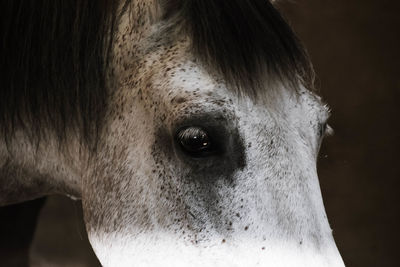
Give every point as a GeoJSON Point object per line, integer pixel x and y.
{"type": "Point", "coordinates": [29, 169]}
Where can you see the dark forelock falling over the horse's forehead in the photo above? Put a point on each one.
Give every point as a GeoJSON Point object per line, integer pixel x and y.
{"type": "Point", "coordinates": [247, 41]}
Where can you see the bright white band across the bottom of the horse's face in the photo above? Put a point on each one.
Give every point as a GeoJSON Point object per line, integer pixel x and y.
{"type": "Point", "coordinates": [160, 249]}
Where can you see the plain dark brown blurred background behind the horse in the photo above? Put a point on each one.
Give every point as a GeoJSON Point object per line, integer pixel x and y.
{"type": "Point", "coordinates": [354, 45]}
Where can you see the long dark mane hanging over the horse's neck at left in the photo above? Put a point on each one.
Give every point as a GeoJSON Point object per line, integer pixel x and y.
{"type": "Point", "coordinates": [54, 55]}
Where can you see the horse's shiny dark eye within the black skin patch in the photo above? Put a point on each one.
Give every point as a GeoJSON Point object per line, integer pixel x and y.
{"type": "Point", "coordinates": [195, 141]}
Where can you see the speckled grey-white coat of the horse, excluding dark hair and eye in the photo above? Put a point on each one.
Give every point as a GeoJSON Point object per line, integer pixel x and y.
{"type": "Point", "coordinates": [146, 201]}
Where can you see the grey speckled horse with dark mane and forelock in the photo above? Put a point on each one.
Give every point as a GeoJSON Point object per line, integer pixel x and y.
{"type": "Point", "coordinates": [189, 130]}
